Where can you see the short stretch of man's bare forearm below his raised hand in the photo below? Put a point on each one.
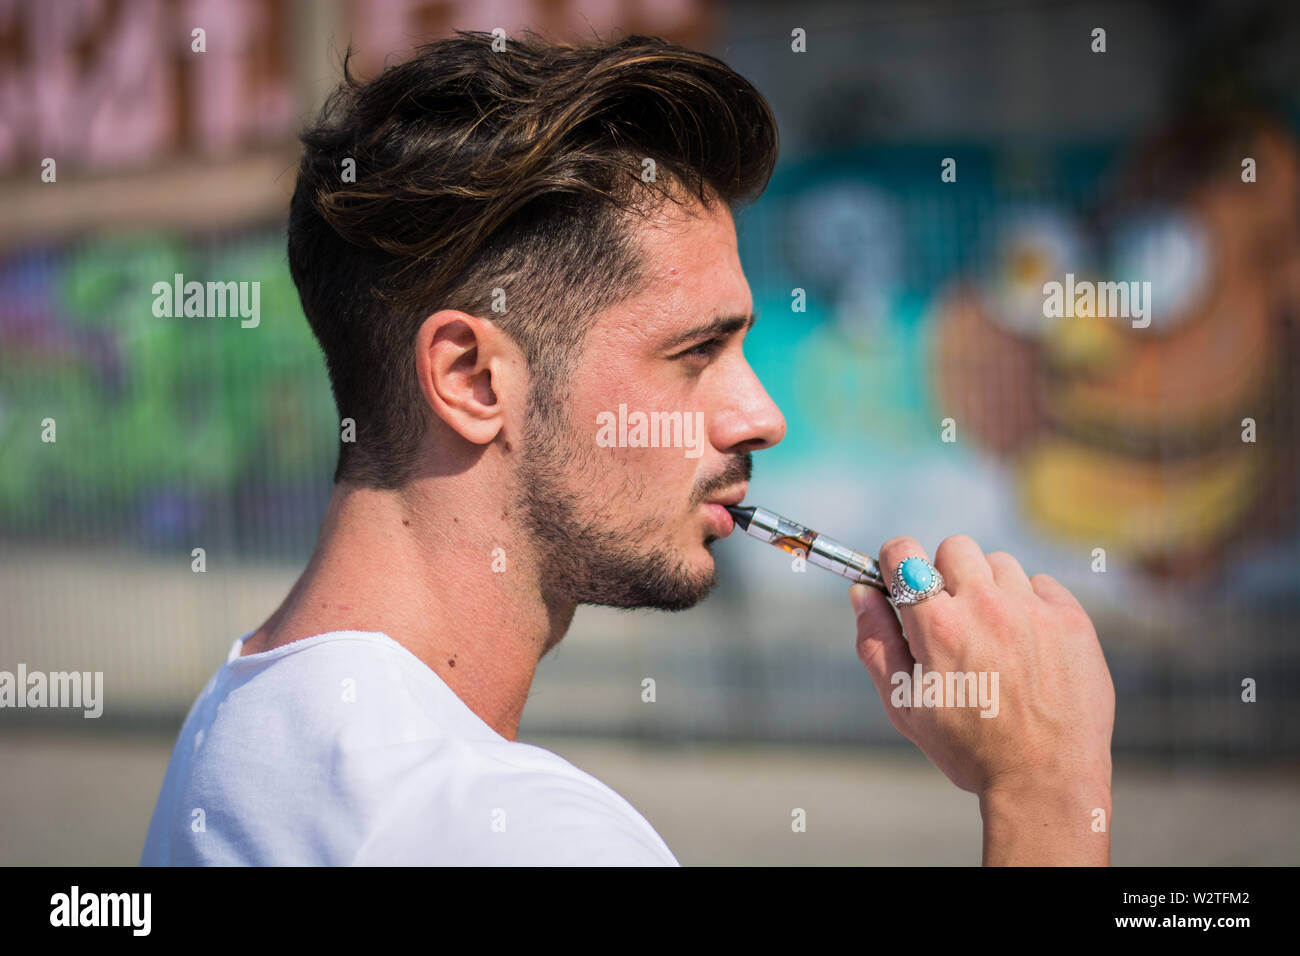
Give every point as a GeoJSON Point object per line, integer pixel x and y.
{"type": "Point", "coordinates": [1048, 824]}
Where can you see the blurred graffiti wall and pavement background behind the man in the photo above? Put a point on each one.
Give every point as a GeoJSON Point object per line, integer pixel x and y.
{"type": "Point", "coordinates": [1154, 471]}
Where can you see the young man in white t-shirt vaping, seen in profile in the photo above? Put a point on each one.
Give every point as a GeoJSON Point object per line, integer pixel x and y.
{"type": "Point", "coordinates": [532, 239]}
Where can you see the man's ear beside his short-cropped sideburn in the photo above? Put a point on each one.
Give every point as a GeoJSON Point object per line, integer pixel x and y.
{"type": "Point", "coordinates": [467, 370]}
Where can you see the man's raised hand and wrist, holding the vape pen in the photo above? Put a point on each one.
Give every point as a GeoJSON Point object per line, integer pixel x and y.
{"type": "Point", "coordinates": [1041, 763]}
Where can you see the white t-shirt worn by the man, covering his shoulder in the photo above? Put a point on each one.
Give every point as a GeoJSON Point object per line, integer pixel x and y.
{"type": "Point", "coordinates": [346, 749]}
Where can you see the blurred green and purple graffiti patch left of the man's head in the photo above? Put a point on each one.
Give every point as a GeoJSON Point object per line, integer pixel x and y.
{"type": "Point", "coordinates": [148, 405]}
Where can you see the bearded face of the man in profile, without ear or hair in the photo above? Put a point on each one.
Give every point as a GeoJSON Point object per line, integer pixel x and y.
{"type": "Point", "coordinates": [621, 482]}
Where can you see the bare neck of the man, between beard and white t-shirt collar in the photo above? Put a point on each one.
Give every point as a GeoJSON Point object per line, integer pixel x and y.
{"type": "Point", "coordinates": [422, 566]}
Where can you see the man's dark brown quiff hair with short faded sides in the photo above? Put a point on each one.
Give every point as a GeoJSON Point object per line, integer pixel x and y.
{"type": "Point", "coordinates": [517, 171]}
